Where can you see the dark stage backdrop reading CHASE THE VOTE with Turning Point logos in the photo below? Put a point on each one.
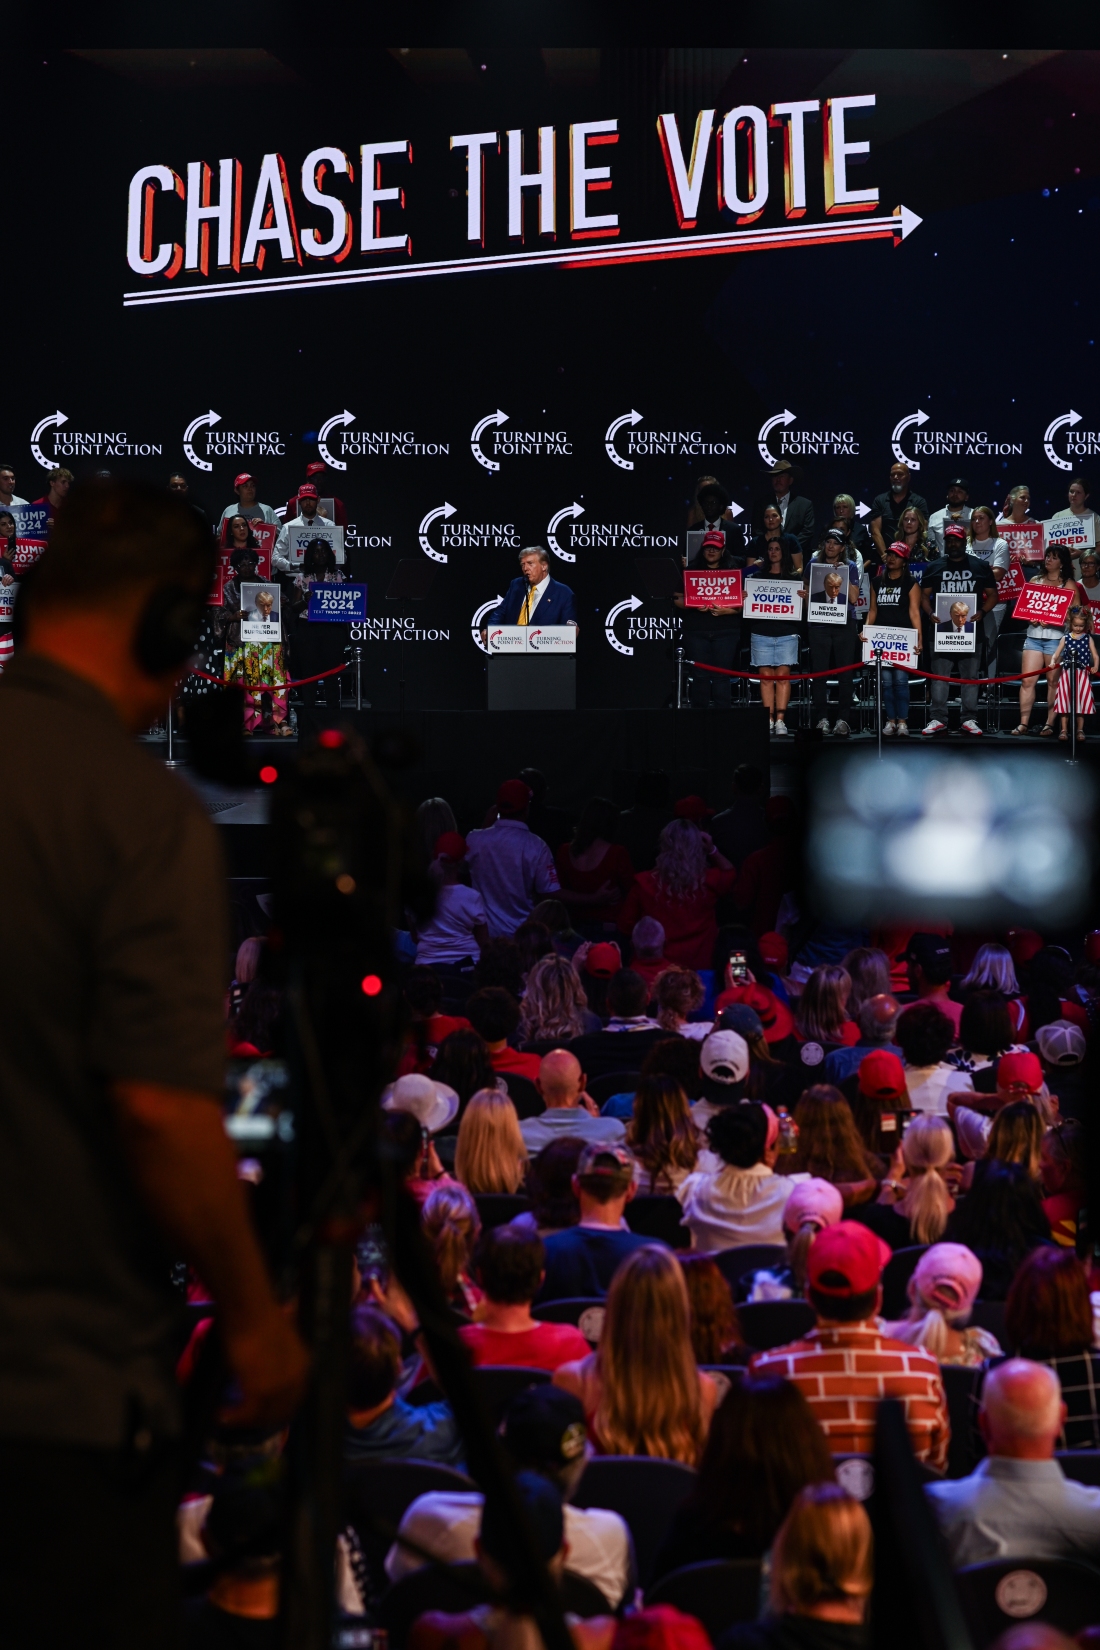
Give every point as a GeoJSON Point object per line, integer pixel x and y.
{"type": "Point", "coordinates": [979, 328]}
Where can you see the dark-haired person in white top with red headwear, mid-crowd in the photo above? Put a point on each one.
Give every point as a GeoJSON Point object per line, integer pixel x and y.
{"type": "Point", "coordinates": [745, 1199]}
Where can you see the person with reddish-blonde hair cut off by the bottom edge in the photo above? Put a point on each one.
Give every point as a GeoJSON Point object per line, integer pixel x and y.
{"type": "Point", "coordinates": [820, 1580]}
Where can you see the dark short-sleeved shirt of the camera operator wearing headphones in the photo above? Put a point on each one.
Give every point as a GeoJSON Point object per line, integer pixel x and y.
{"type": "Point", "coordinates": [115, 955]}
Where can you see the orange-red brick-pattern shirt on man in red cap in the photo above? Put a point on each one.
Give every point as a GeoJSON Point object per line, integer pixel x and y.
{"type": "Point", "coordinates": [845, 1372]}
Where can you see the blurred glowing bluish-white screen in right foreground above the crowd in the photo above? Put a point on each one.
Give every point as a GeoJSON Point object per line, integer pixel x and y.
{"type": "Point", "coordinates": [974, 841]}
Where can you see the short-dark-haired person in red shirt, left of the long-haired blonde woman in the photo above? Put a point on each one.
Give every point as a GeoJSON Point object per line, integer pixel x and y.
{"type": "Point", "coordinates": [510, 1275]}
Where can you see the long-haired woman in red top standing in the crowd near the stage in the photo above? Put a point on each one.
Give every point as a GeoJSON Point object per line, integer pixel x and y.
{"type": "Point", "coordinates": [682, 892]}
